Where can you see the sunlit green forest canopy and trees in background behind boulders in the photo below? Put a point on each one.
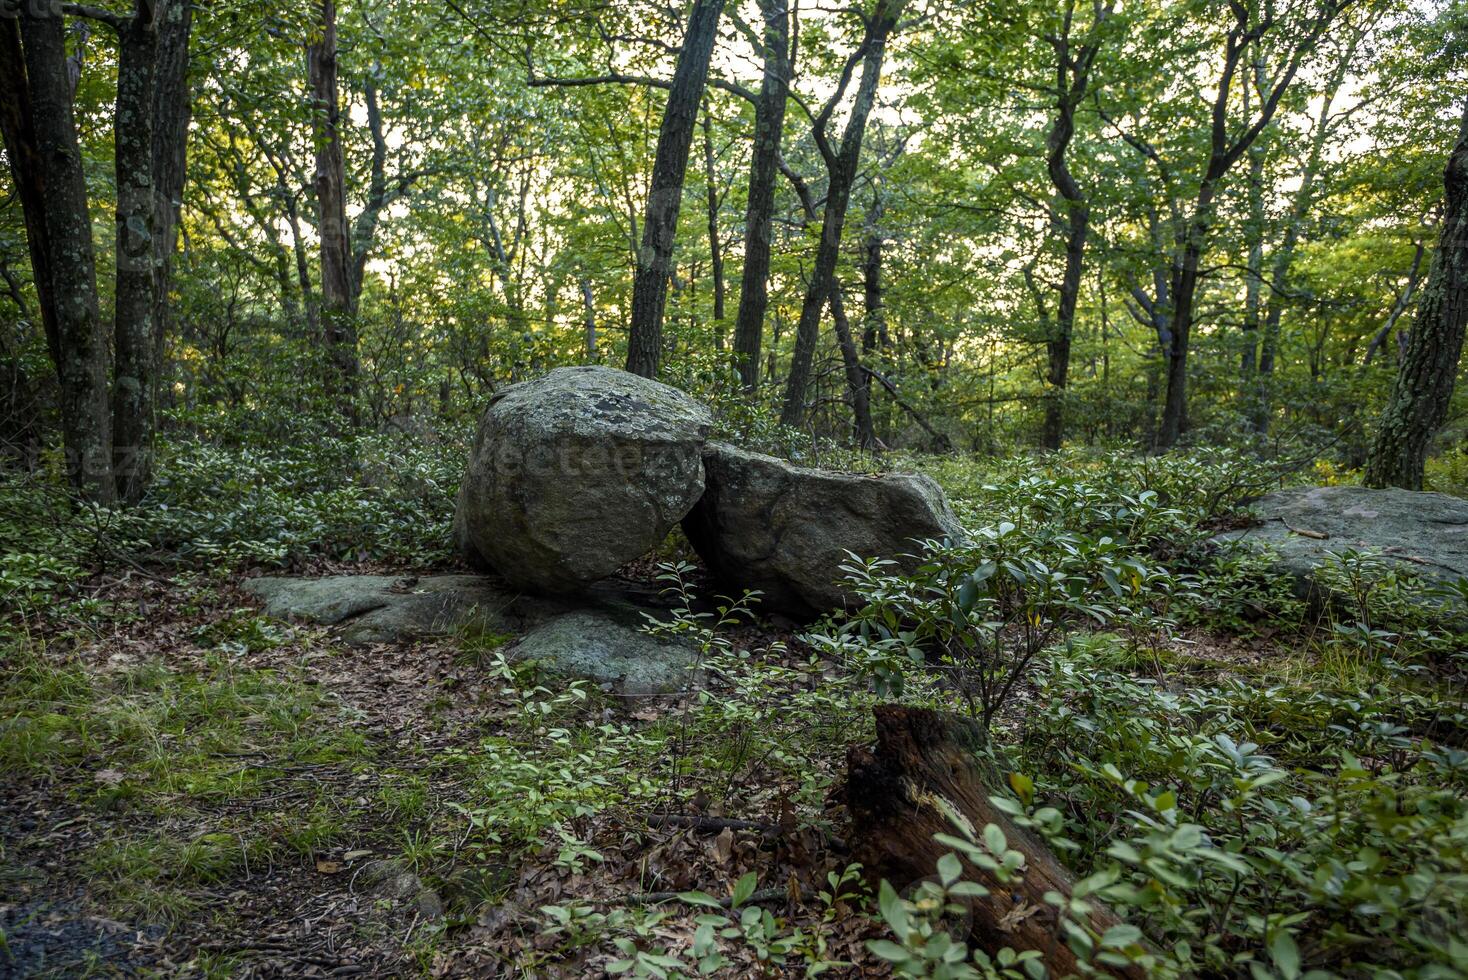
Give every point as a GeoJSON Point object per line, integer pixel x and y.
{"type": "Point", "coordinates": [924, 225]}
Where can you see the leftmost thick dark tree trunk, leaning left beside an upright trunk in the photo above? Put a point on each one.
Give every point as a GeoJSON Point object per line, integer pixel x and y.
{"type": "Point", "coordinates": [80, 348]}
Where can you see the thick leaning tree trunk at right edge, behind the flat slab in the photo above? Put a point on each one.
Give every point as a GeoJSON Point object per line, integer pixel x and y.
{"type": "Point", "coordinates": [1425, 382]}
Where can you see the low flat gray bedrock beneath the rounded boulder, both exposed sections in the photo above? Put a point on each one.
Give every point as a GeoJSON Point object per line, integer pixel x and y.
{"type": "Point", "coordinates": [597, 639]}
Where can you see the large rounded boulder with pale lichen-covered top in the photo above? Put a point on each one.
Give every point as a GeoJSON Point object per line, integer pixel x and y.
{"type": "Point", "coordinates": [578, 473]}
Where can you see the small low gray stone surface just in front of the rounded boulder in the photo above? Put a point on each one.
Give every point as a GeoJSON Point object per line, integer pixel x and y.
{"type": "Point", "coordinates": [608, 651]}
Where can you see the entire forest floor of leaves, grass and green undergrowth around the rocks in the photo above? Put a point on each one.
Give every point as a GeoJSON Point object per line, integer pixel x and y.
{"type": "Point", "coordinates": [190, 789]}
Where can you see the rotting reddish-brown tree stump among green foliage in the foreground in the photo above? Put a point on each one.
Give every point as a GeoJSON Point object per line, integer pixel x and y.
{"type": "Point", "coordinates": [899, 796]}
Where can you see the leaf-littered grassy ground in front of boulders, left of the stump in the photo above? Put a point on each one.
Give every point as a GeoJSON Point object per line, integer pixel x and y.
{"type": "Point", "coordinates": [206, 789]}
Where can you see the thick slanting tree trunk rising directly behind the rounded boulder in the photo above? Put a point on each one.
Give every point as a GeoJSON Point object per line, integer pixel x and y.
{"type": "Point", "coordinates": [666, 193]}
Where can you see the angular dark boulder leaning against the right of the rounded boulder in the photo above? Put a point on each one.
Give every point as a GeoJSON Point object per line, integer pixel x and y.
{"type": "Point", "coordinates": [786, 530]}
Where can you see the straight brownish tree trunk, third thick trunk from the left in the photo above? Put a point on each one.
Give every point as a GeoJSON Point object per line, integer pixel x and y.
{"type": "Point", "coordinates": [331, 199]}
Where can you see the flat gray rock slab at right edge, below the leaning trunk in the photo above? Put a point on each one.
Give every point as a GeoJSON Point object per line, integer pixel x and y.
{"type": "Point", "coordinates": [1426, 533]}
